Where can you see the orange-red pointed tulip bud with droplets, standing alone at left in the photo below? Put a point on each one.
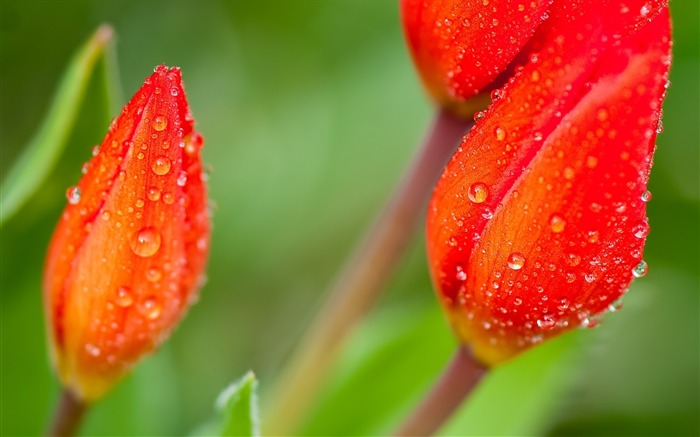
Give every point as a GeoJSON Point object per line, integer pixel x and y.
{"type": "Point", "coordinates": [129, 252]}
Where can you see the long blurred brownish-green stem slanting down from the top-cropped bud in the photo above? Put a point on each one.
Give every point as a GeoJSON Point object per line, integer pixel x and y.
{"type": "Point", "coordinates": [363, 277]}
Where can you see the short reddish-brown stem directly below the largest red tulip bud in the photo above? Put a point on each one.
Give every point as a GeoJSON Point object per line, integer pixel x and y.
{"type": "Point", "coordinates": [457, 381]}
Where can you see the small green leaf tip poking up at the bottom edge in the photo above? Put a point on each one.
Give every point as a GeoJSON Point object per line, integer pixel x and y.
{"type": "Point", "coordinates": [239, 405]}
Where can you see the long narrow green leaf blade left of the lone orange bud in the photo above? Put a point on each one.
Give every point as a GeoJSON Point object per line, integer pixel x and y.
{"type": "Point", "coordinates": [40, 155]}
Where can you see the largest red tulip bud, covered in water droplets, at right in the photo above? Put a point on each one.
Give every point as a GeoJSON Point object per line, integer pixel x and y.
{"type": "Point", "coordinates": [538, 223]}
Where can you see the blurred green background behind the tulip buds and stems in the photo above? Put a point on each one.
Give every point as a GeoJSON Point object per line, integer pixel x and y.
{"type": "Point", "coordinates": [310, 111]}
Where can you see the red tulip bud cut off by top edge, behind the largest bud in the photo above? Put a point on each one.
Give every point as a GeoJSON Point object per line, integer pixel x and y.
{"type": "Point", "coordinates": [460, 47]}
